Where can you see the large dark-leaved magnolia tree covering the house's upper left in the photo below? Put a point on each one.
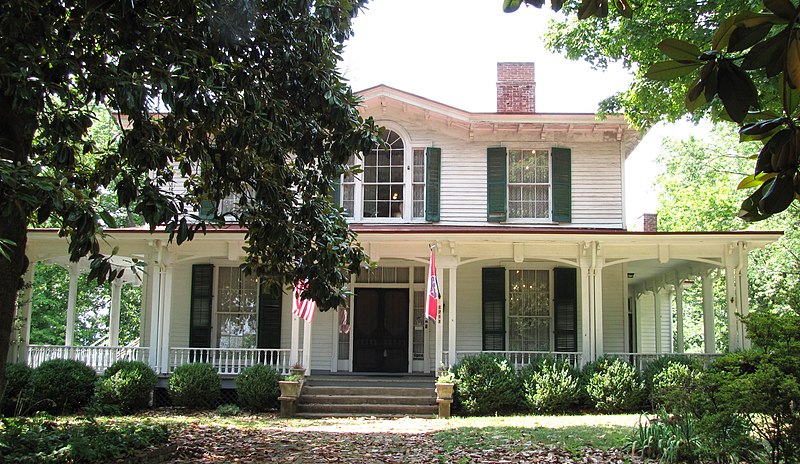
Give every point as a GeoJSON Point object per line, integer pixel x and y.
{"type": "Point", "coordinates": [237, 98]}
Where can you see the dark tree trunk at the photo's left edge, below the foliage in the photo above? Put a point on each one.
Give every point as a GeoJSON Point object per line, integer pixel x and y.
{"type": "Point", "coordinates": [11, 281]}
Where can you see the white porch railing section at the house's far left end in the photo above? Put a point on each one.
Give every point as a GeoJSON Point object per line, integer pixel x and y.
{"type": "Point", "coordinates": [98, 358]}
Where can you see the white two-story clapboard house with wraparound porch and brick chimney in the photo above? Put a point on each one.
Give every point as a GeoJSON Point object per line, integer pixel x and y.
{"type": "Point", "coordinates": [526, 213]}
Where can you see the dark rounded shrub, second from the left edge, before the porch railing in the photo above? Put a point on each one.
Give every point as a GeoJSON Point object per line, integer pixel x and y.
{"type": "Point", "coordinates": [61, 386]}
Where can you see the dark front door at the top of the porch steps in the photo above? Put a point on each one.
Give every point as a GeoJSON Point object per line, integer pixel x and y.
{"type": "Point", "coordinates": [380, 330]}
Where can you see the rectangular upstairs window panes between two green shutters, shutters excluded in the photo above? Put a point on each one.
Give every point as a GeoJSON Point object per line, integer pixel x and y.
{"type": "Point", "coordinates": [529, 184]}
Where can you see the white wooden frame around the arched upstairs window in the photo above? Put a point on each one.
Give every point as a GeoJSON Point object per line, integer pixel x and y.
{"type": "Point", "coordinates": [408, 184]}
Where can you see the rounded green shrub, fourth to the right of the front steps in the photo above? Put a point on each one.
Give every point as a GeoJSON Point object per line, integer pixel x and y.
{"type": "Point", "coordinates": [671, 387]}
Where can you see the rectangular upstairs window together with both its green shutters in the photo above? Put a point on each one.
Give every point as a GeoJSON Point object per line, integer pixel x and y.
{"type": "Point", "coordinates": [529, 184]}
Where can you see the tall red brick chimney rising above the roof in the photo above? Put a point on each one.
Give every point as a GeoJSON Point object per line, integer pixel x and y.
{"type": "Point", "coordinates": [516, 88]}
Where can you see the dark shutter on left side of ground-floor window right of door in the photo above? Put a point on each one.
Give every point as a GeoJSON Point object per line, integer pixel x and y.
{"type": "Point", "coordinates": [494, 308]}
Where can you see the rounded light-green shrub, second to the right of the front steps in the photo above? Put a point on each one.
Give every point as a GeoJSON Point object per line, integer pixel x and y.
{"type": "Point", "coordinates": [551, 386]}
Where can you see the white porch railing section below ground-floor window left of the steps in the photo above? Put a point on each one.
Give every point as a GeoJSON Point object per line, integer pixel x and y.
{"type": "Point", "coordinates": [231, 360]}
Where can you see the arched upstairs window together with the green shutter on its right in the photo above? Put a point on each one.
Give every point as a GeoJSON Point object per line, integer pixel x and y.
{"type": "Point", "coordinates": [395, 183]}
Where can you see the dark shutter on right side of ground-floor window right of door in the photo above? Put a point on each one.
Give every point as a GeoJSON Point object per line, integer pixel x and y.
{"type": "Point", "coordinates": [565, 312]}
